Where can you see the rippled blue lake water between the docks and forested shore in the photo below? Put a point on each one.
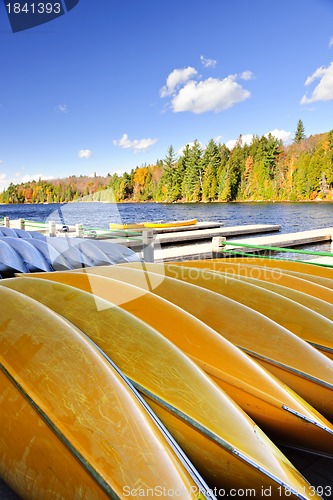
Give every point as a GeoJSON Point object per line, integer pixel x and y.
{"type": "Point", "coordinates": [291, 216]}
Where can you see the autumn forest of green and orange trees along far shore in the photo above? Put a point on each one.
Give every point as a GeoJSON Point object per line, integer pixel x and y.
{"type": "Point", "coordinates": [264, 170]}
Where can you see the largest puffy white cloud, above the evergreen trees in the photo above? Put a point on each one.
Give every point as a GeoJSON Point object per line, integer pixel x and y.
{"type": "Point", "coordinates": [209, 95]}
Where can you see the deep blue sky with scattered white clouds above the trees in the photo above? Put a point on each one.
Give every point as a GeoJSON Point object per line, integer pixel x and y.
{"type": "Point", "coordinates": [111, 84]}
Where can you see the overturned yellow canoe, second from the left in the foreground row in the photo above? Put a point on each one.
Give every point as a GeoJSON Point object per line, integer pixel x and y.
{"type": "Point", "coordinates": [226, 446]}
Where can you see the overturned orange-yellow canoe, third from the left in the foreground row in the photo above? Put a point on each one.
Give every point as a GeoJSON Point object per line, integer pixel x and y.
{"type": "Point", "coordinates": [269, 402]}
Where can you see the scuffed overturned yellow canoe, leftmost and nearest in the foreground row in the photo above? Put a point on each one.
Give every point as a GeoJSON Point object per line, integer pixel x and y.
{"type": "Point", "coordinates": [69, 425]}
